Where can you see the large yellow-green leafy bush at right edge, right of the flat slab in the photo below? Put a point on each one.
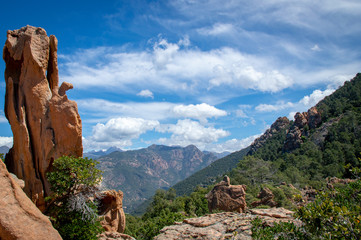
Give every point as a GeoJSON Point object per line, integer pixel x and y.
{"type": "Point", "coordinates": [335, 214]}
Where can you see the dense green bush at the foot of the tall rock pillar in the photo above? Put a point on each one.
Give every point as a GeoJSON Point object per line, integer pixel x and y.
{"type": "Point", "coordinates": [73, 181]}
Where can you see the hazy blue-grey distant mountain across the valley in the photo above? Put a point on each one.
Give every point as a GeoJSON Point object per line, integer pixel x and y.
{"type": "Point", "coordinates": [139, 173]}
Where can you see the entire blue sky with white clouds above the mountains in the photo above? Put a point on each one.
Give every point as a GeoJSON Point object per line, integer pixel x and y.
{"type": "Point", "coordinates": [215, 74]}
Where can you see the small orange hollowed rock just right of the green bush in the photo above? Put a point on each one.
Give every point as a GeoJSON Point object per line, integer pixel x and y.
{"type": "Point", "coordinates": [111, 208]}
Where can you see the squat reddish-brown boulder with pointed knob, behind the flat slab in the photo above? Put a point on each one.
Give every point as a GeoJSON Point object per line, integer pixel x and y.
{"type": "Point", "coordinates": [227, 197]}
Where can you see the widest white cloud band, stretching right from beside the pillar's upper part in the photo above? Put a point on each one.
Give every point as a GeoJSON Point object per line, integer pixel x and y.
{"type": "Point", "coordinates": [172, 67]}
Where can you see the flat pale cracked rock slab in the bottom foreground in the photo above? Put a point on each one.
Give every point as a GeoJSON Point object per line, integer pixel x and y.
{"type": "Point", "coordinates": [225, 225]}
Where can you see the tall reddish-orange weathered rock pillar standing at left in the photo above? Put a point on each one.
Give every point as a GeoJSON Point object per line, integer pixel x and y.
{"type": "Point", "coordinates": [45, 124]}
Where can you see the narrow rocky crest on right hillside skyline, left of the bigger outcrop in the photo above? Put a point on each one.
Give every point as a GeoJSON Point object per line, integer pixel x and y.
{"type": "Point", "coordinates": [280, 123]}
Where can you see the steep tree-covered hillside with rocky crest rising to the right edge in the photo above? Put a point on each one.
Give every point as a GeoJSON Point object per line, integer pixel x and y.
{"type": "Point", "coordinates": [316, 145]}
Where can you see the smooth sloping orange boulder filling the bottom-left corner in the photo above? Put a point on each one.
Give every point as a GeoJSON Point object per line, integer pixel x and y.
{"type": "Point", "coordinates": [20, 219]}
